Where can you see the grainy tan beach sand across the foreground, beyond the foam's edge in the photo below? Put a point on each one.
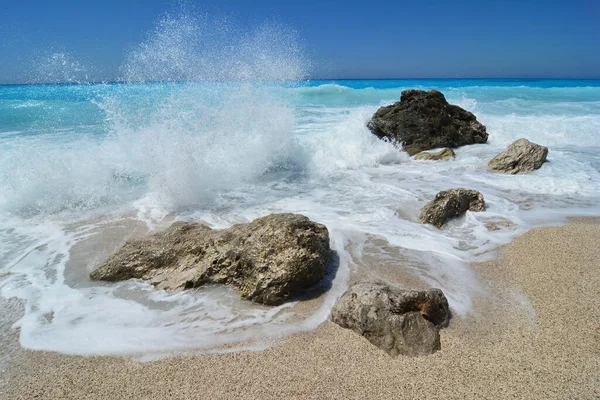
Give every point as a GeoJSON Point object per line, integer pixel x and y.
{"type": "Point", "coordinates": [535, 334]}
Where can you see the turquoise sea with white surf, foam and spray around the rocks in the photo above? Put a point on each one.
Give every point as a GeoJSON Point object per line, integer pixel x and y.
{"type": "Point", "coordinates": [85, 166]}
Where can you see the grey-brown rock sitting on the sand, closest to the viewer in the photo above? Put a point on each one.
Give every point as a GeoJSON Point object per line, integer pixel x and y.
{"type": "Point", "coordinates": [396, 320]}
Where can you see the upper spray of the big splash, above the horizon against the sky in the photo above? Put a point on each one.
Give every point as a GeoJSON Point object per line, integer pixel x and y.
{"type": "Point", "coordinates": [195, 48]}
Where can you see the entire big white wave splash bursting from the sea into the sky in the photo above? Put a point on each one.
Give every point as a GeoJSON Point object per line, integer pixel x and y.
{"type": "Point", "coordinates": [177, 141]}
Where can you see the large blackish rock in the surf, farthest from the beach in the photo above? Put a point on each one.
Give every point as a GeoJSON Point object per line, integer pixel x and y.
{"type": "Point", "coordinates": [424, 120]}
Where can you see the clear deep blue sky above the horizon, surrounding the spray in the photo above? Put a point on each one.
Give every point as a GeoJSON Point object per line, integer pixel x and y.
{"type": "Point", "coordinates": [343, 39]}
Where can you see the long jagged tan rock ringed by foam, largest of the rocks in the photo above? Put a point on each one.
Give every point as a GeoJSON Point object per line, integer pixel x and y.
{"type": "Point", "coordinates": [269, 260]}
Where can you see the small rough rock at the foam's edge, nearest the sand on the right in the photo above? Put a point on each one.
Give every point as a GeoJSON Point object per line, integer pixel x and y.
{"type": "Point", "coordinates": [449, 204]}
